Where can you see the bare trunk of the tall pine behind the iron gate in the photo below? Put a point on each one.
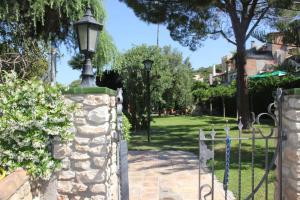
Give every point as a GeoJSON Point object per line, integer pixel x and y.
{"type": "Point", "coordinates": [242, 85]}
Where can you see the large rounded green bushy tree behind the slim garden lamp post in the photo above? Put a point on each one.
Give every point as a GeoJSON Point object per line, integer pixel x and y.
{"type": "Point", "coordinates": [171, 81]}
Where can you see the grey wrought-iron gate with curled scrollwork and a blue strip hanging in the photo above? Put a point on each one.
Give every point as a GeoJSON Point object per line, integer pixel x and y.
{"type": "Point", "coordinates": [207, 191]}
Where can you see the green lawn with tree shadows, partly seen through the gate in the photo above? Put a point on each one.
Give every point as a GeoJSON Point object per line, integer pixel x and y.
{"type": "Point", "coordinates": [181, 133]}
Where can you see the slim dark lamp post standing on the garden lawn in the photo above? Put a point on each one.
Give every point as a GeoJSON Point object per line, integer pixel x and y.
{"type": "Point", "coordinates": [148, 65]}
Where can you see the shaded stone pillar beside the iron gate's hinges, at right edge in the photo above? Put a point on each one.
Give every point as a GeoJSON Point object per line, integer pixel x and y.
{"type": "Point", "coordinates": [291, 147]}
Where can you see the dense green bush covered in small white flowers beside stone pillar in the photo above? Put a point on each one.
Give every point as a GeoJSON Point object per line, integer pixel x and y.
{"type": "Point", "coordinates": [33, 114]}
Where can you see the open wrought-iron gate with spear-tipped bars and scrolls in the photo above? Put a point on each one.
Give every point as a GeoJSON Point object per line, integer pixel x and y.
{"type": "Point", "coordinates": [272, 141]}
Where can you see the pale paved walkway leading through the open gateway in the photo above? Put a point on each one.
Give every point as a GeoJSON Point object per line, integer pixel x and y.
{"type": "Point", "coordinates": [167, 175]}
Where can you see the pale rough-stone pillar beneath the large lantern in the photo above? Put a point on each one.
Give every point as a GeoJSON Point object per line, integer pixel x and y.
{"type": "Point", "coordinates": [89, 164]}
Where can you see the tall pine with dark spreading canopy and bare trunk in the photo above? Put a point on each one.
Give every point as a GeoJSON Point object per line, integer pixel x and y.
{"type": "Point", "coordinates": [192, 21]}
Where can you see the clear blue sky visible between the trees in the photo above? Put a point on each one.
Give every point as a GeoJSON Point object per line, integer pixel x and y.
{"type": "Point", "coordinates": [127, 30]}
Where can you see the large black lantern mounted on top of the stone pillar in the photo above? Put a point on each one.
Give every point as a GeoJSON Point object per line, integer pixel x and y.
{"type": "Point", "coordinates": [87, 29]}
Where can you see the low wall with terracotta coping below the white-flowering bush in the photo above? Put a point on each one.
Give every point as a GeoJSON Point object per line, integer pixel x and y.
{"type": "Point", "coordinates": [15, 186]}
